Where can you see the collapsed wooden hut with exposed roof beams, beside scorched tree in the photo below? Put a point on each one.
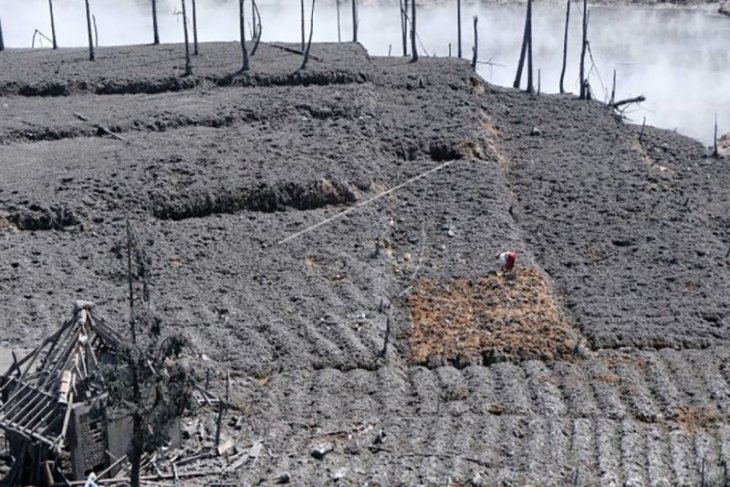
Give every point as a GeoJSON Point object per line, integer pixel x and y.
{"type": "Point", "coordinates": [52, 407]}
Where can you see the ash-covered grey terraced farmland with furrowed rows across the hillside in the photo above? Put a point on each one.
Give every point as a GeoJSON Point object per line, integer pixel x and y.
{"type": "Point", "coordinates": [604, 358]}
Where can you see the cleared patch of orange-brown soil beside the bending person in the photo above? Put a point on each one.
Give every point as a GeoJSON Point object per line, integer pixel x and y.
{"type": "Point", "coordinates": [511, 317]}
